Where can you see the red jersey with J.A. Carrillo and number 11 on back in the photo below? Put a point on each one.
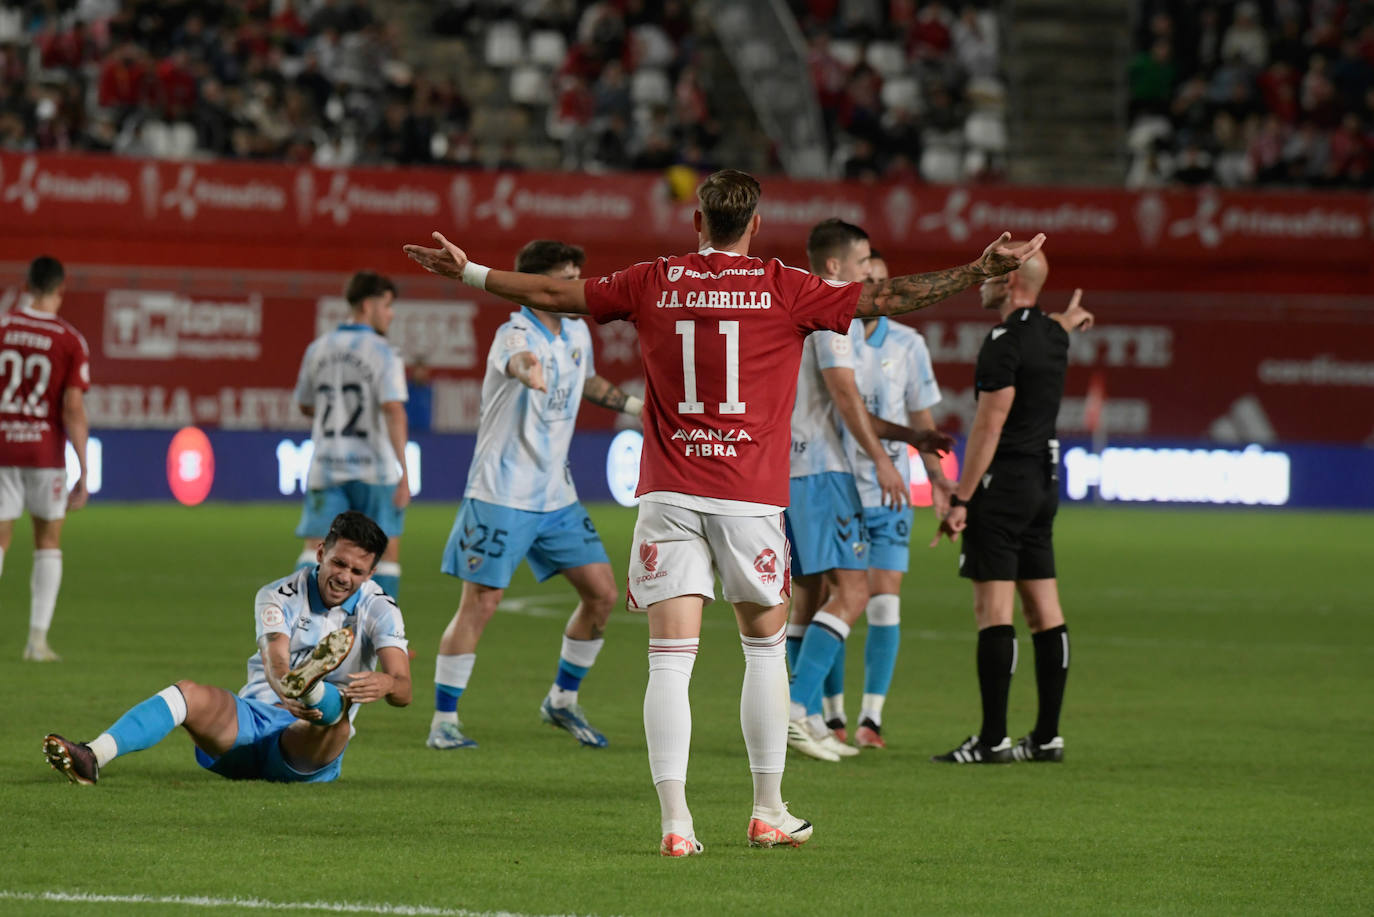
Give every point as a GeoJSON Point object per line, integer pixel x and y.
{"type": "Point", "coordinates": [721, 338]}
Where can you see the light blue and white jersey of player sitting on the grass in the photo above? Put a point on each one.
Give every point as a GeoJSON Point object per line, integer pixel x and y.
{"type": "Point", "coordinates": [293, 606]}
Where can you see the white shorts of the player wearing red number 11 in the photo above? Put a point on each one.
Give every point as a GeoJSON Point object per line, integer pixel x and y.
{"type": "Point", "coordinates": [681, 552]}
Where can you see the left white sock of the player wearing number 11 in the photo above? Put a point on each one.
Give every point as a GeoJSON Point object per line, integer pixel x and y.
{"type": "Point", "coordinates": [668, 728]}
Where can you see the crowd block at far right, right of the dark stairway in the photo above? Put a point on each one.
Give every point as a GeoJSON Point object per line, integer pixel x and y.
{"type": "Point", "coordinates": [1254, 94]}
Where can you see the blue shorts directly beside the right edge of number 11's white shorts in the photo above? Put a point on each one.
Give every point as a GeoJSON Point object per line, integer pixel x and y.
{"type": "Point", "coordinates": [825, 524]}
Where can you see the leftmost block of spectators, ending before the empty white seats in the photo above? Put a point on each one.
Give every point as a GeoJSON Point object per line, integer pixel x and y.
{"type": "Point", "coordinates": [296, 80]}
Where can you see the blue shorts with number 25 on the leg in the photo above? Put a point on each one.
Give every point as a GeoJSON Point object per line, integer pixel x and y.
{"type": "Point", "coordinates": [488, 542]}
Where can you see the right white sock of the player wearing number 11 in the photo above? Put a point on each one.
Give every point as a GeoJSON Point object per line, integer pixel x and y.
{"type": "Point", "coordinates": [763, 716]}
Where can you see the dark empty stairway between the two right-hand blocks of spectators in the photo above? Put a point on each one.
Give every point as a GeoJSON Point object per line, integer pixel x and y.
{"type": "Point", "coordinates": [1066, 67]}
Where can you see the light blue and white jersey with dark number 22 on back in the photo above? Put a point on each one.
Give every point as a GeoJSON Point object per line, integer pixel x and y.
{"type": "Point", "coordinates": [348, 376]}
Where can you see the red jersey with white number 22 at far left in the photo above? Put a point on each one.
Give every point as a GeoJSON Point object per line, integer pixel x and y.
{"type": "Point", "coordinates": [42, 357]}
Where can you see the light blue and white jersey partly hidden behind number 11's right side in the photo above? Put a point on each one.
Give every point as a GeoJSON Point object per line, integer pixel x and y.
{"type": "Point", "coordinates": [817, 446]}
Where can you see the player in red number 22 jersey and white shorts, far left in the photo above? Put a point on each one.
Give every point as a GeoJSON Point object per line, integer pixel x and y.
{"type": "Point", "coordinates": [46, 369]}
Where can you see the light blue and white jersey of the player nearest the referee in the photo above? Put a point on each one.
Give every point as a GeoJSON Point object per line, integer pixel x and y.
{"type": "Point", "coordinates": [895, 376]}
